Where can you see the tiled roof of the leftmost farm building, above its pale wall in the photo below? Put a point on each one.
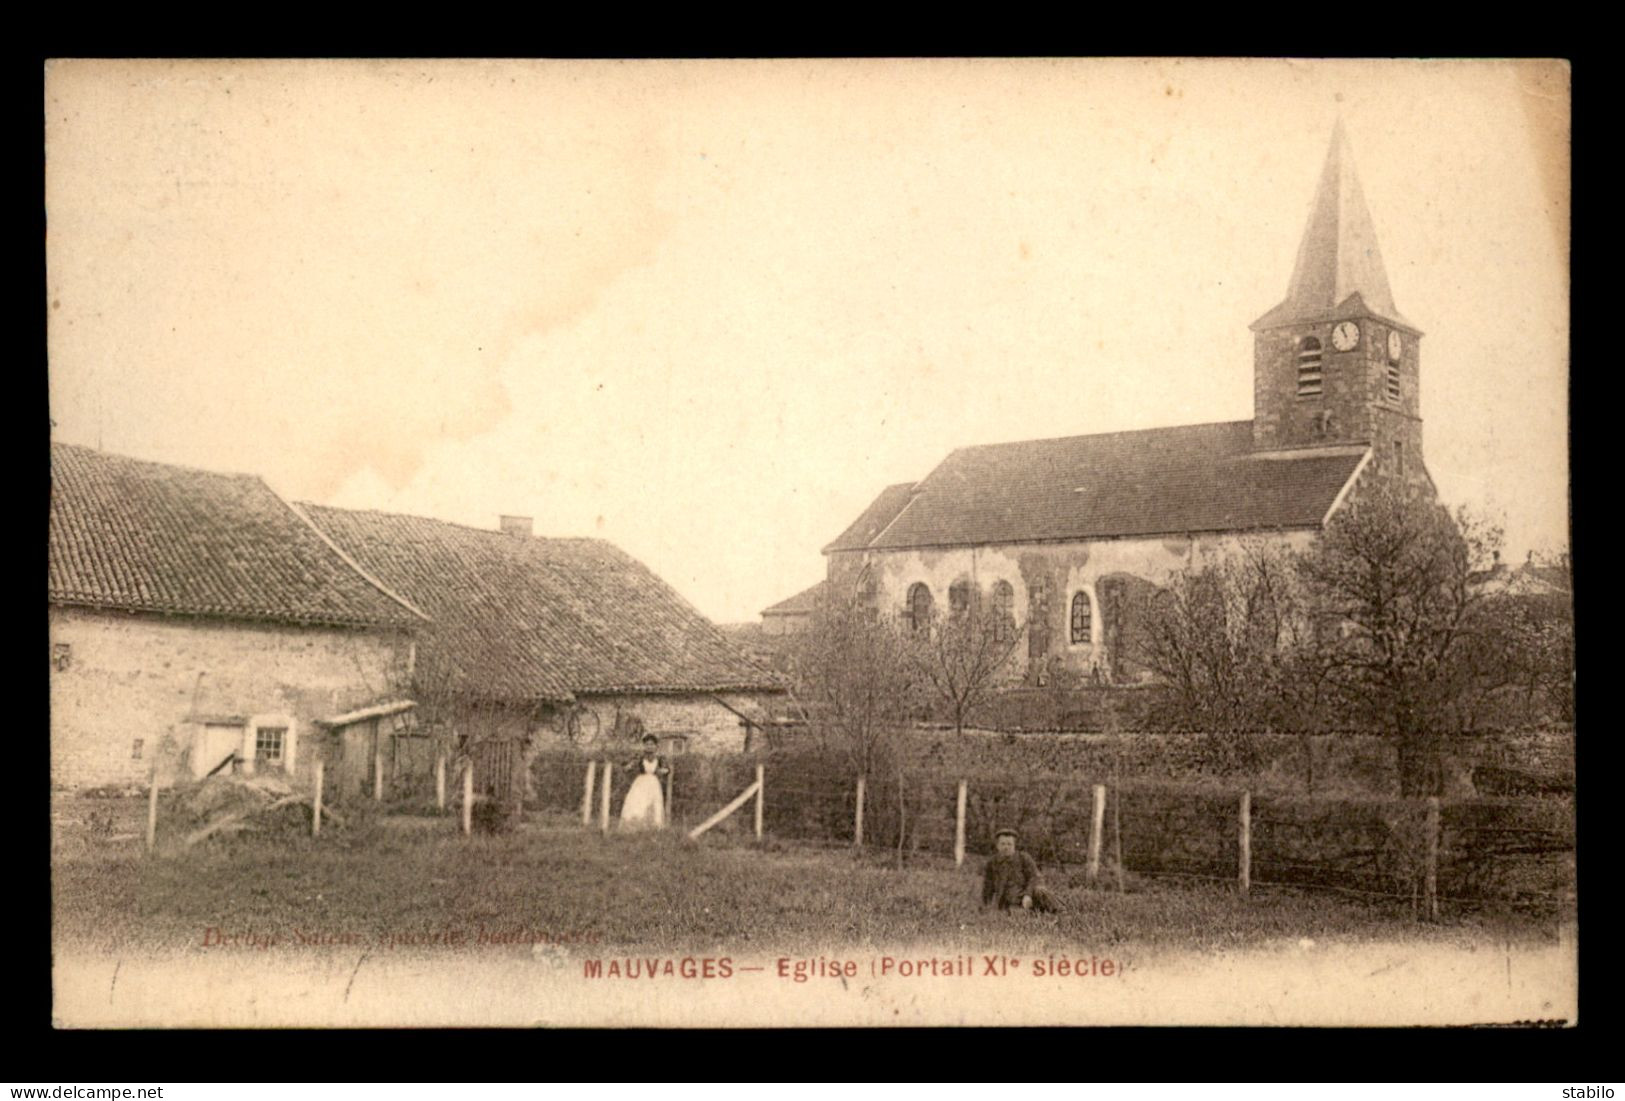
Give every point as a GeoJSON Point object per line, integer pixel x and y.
{"type": "Point", "coordinates": [144, 537]}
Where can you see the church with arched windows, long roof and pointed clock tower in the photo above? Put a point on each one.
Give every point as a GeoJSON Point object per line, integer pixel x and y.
{"type": "Point", "coordinates": [1062, 533]}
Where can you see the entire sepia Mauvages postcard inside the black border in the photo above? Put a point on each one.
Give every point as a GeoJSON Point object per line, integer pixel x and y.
{"type": "Point", "coordinates": [810, 543]}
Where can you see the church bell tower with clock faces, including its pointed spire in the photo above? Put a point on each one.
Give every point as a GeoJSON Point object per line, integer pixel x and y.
{"type": "Point", "coordinates": [1337, 365]}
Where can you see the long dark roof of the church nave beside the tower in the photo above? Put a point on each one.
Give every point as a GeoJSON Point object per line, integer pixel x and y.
{"type": "Point", "coordinates": [1156, 481]}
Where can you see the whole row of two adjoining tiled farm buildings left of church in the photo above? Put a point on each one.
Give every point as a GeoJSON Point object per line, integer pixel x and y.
{"type": "Point", "coordinates": [201, 621]}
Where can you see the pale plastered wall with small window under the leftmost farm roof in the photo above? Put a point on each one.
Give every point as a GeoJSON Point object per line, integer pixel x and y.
{"type": "Point", "coordinates": [118, 680]}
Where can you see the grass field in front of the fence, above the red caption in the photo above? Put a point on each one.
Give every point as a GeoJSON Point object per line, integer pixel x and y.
{"type": "Point", "coordinates": [415, 881]}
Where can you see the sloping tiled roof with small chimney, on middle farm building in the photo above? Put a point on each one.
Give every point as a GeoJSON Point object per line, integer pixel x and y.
{"type": "Point", "coordinates": [532, 620]}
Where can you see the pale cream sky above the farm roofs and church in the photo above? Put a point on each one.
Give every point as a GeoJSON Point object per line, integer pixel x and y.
{"type": "Point", "coordinates": [709, 309]}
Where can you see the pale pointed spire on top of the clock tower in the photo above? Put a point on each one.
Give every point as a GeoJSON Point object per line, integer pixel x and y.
{"type": "Point", "coordinates": [1338, 257]}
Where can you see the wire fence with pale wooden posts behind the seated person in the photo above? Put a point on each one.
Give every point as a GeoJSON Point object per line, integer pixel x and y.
{"type": "Point", "coordinates": [1090, 834]}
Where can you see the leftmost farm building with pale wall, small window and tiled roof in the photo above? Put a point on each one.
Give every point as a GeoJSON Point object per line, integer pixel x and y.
{"type": "Point", "coordinates": [199, 621]}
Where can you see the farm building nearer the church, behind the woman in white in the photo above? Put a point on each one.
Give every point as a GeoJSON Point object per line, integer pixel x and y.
{"type": "Point", "coordinates": [540, 639]}
